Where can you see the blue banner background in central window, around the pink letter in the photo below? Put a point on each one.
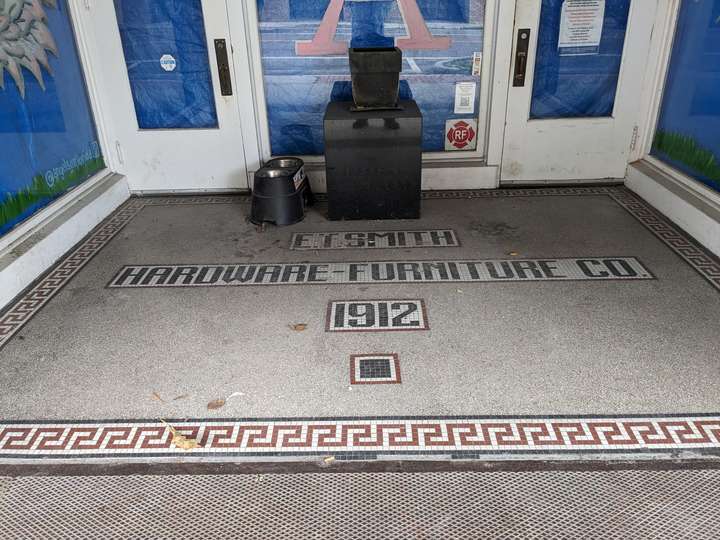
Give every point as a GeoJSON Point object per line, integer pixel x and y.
{"type": "Point", "coordinates": [298, 87]}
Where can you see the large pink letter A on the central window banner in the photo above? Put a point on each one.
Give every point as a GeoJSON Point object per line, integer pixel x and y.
{"type": "Point", "coordinates": [325, 44]}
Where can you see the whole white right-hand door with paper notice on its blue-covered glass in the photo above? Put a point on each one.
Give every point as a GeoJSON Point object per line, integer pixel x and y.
{"type": "Point", "coordinates": [573, 117]}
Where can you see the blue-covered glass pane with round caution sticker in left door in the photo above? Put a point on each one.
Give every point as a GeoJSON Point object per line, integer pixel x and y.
{"type": "Point", "coordinates": [176, 99]}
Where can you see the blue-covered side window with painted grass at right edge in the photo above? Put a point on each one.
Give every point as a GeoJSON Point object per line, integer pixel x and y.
{"type": "Point", "coordinates": [688, 132]}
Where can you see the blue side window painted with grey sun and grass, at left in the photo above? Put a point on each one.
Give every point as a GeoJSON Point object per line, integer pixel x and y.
{"type": "Point", "coordinates": [48, 142]}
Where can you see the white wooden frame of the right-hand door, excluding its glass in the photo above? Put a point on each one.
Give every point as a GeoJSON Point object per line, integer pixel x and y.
{"type": "Point", "coordinates": [600, 147]}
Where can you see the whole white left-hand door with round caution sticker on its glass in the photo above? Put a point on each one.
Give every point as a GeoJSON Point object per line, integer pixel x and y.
{"type": "Point", "coordinates": [175, 129]}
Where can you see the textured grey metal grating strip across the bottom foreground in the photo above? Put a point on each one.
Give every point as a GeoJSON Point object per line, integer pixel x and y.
{"type": "Point", "coordinates": [457, 505]}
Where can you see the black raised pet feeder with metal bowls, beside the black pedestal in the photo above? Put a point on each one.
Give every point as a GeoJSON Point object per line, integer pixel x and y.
{"type": "Point", "coordinates": [280, 193]}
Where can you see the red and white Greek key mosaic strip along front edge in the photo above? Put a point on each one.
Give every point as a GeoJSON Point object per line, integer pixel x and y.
{"type": "Point", "coordinates": [366, 438]}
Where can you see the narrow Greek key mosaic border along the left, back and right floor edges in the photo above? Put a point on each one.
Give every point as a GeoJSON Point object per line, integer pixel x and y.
{"type": "Point", "coordinates": [33, 300]}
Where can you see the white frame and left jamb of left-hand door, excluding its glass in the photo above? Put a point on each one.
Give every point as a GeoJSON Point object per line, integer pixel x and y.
{"type": "Point", "coordinates": [124, 145]}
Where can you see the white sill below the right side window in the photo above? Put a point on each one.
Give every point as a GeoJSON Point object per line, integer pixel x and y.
{"type": "Point", "coordinates": [686, 202]}
